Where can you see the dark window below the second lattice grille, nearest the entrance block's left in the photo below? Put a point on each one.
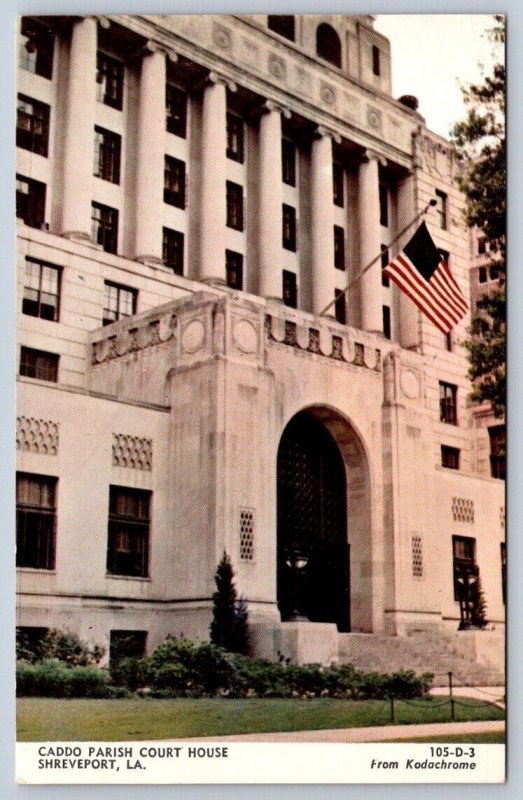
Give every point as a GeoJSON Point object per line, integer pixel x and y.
{"type": "Point", "coordinates": [128, 533]}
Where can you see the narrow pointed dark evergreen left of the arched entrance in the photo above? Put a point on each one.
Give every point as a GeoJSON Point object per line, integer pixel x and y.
{"type": "Point", "coordinates": [229, 626]}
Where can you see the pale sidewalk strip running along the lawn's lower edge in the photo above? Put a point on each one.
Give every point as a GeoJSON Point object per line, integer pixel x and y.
{"type": "Point", "coordinates": [375, 734]}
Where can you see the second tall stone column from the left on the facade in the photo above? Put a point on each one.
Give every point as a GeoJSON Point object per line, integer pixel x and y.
{"type": "Point", "coordinates": [150, 156]}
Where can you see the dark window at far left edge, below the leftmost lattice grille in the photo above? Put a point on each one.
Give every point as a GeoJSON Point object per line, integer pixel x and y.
{"type": "Point", "coordinates": [35, 521]}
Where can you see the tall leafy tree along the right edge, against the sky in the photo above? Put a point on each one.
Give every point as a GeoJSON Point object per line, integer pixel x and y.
{"type": "Point", "coordinates": [480, 143]}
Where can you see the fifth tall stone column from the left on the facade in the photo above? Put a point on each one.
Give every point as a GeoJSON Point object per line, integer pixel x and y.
{"type": "Point", "coordinates": [322, 223]}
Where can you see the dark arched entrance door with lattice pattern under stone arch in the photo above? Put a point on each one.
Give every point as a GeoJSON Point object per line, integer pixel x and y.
{"type": "Point", "coordinates": [312, 525]}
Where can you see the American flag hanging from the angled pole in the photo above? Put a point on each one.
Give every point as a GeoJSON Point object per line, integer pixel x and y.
{"type": "Point", "coordinates": [424, 275]}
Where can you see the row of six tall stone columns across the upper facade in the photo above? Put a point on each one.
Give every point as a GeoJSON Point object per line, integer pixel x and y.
{"type": "Point", "coordinates": [149, 185]}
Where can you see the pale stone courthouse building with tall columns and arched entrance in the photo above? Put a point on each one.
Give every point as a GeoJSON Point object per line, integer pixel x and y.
{"type": "Point", "coordinates": [194, 193]}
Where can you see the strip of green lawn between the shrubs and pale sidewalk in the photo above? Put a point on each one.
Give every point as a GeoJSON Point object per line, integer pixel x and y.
{"type": "Point", "coordinates": [50, 719]}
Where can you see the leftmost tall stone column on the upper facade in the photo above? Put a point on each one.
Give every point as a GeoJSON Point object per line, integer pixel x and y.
{"type": "Point", "coordinates": [79, 131]}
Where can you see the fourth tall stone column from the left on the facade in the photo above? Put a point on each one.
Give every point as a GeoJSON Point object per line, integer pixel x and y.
{"type": "Point", "coordinates": [270, 202]}
